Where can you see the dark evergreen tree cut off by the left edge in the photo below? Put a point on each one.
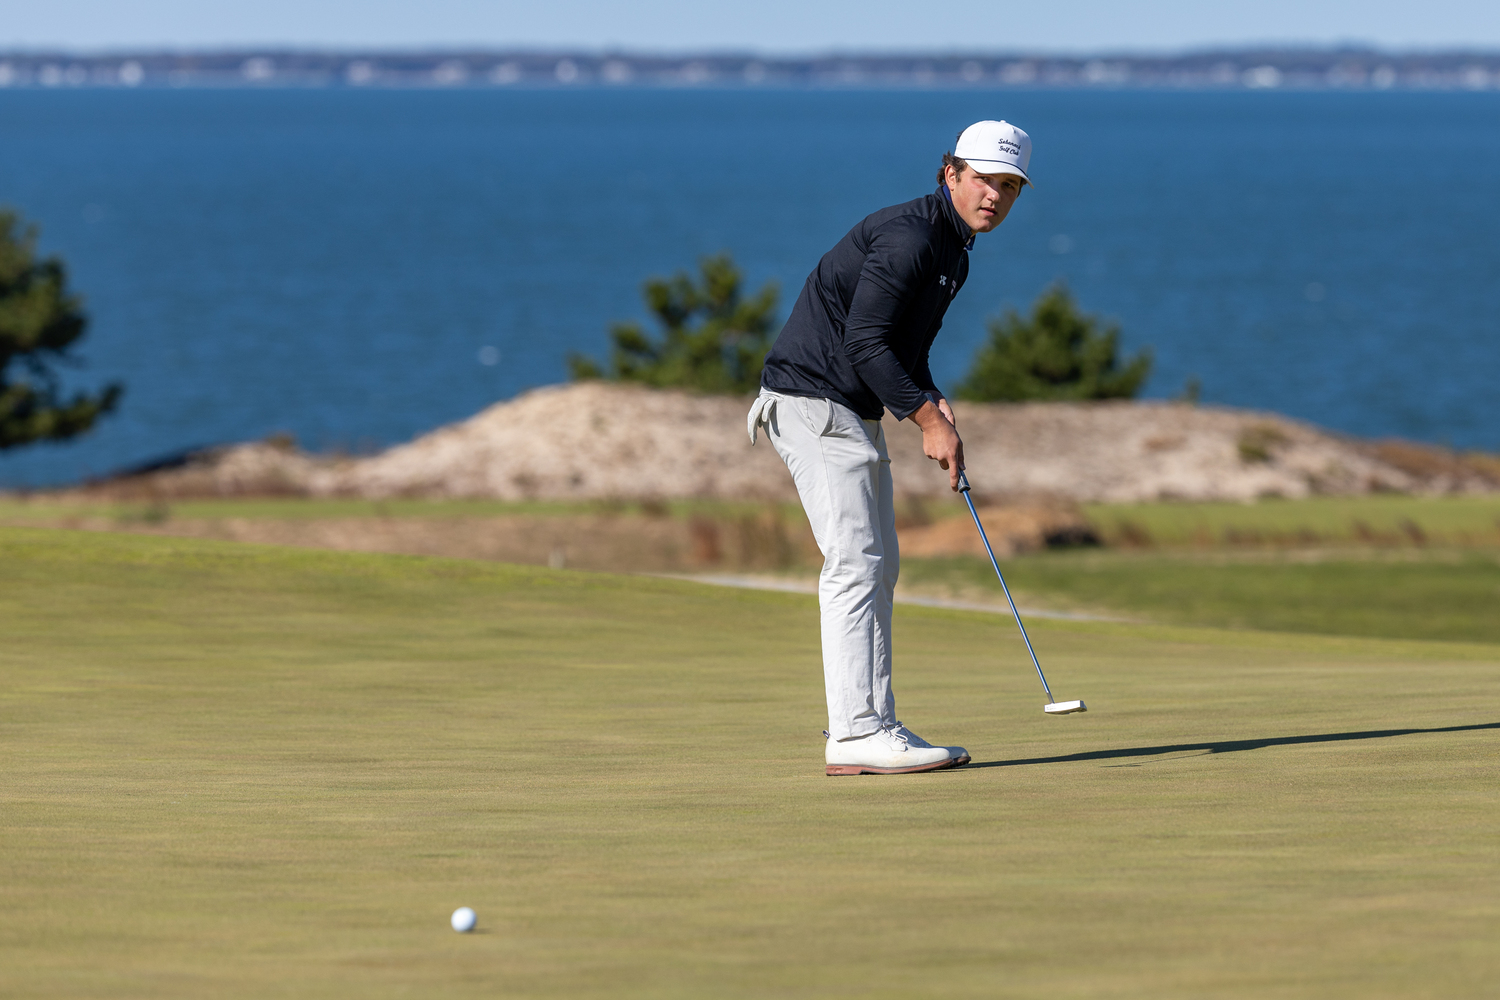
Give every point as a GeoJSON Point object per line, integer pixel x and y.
{"type": "Point", "coordinates": [40, 325]}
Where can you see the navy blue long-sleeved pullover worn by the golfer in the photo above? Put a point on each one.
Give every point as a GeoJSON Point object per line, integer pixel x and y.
{"type": "Point", "coordinates": [869, 313]}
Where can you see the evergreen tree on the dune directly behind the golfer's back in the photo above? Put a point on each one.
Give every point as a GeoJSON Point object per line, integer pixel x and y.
{"type": "Point", "coordinates": [724, 353]}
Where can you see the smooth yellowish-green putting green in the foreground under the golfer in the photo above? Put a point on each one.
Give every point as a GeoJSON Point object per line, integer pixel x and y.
{"type": "Point", "coordinates": [238, 771]}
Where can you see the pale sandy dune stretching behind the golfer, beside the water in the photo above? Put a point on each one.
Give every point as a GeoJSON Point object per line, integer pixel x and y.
{"type": "Point", "coordinates": [608, 442]}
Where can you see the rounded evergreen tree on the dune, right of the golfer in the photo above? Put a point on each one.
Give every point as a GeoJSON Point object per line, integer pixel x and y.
{"type": "Point", "coordinates": [1058, 353]}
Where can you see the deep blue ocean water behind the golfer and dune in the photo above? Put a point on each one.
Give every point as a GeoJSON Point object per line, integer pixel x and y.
{"type": "Point", "coordinates": [356, 268]}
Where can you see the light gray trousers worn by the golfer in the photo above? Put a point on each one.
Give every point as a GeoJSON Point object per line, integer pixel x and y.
{"type": "Point", "coordinates": [844, 478]}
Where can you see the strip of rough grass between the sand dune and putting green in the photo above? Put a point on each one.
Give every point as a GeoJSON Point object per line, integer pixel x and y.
{"type": "Point", "coordinates": [1373, 566]}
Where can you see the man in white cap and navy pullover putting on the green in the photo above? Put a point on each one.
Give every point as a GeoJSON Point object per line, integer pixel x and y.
{"type": "Point", "coordinates": [857, 344]}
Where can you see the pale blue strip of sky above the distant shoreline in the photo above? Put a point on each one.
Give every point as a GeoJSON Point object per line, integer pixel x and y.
{"type": "Point", "coordinates": [761, 26]}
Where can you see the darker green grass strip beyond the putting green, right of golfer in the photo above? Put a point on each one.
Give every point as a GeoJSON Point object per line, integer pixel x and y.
{"type": "Point", "coordinates": [1447, 596]}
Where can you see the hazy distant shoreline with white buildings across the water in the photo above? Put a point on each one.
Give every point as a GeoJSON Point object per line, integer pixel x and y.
{"type": "Point", "coordinates": [1264, 68]}
